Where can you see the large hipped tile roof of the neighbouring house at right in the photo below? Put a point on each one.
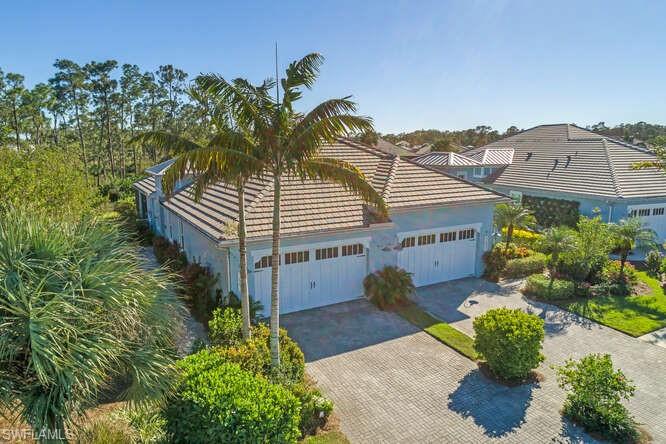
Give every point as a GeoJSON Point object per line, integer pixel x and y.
{"type": "Point", "coordinates": [568, 158]}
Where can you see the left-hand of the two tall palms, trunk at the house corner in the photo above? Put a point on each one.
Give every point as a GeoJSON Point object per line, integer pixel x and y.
{"type": "Point", "coordinates": [230, 155]}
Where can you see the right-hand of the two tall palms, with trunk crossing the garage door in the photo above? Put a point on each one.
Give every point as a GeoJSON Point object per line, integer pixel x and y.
{"type": "Point", "coordinates": [292, 142]}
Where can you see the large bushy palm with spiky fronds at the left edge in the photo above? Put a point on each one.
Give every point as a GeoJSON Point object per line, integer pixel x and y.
{"type": "Point", "coordinates": [77, 312]}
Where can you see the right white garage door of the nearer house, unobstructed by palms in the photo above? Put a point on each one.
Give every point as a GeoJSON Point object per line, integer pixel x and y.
{"type": "Point", "coordinates": [439, 255]}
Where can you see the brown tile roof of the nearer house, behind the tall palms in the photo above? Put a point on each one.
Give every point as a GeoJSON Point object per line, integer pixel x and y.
{"type": "Point", "coordinates": [313, 206]}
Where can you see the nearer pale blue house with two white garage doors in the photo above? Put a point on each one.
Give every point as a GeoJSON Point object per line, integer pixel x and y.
{"type": "Point", "coordinates": [438, 229]}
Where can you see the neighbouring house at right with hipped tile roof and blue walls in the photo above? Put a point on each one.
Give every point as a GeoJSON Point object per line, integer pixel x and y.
{"type": "Point", "coordinates": [564, 162]}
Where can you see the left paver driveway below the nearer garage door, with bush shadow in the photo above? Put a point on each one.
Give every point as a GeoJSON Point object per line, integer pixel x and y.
{"type": "Point", "coordinates": [393, 383]}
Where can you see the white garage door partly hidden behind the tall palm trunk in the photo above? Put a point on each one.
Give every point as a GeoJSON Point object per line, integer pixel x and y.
{"type": "Point", "coordinates": [313, 275]}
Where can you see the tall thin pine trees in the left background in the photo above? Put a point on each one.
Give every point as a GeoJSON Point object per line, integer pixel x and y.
{"type": "Point", "coordinates": [94, 109]}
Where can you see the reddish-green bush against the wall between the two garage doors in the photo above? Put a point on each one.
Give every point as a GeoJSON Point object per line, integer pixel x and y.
{"type": "Point", "coordinates": [388, 286]}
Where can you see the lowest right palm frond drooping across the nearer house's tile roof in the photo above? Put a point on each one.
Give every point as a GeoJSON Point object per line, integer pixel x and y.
{"type": "Point", "coordinates": [344, 174]}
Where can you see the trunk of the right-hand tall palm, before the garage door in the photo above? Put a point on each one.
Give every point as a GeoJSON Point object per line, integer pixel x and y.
{"type": "Point", "coordinates": [275, 276]}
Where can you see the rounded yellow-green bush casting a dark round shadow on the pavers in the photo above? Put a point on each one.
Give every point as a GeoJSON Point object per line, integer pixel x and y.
{"type": "Point", "coordinates": [510, 341]}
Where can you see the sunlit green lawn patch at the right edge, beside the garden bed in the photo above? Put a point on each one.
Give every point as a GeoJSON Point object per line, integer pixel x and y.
{"type": "Point", "coordinates": [634, 315]}
